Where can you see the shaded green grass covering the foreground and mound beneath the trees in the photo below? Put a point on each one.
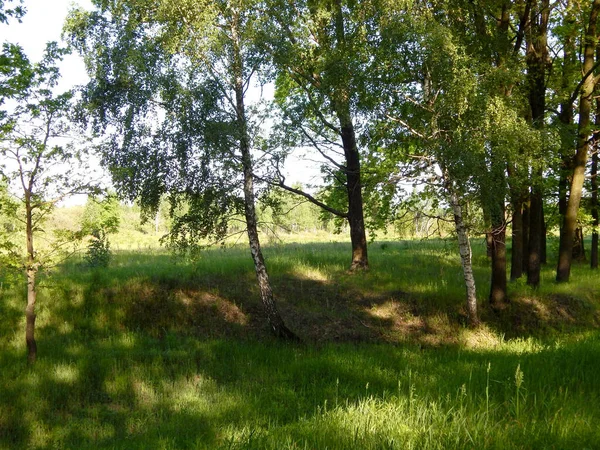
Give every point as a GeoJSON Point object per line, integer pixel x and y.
{"type": "Point", "coordinates": [162, 352]}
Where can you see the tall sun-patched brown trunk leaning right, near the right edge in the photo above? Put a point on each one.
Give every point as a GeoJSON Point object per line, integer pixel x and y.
{"type": "Point", "coordinates": [563, 270]}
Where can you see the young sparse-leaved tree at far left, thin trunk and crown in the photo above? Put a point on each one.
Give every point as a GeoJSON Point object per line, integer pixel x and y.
{"type": "Point", "coordinates": [42, 167]}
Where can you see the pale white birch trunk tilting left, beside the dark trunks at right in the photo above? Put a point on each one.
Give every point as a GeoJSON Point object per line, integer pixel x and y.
{"type": "Point", "coordinates": [464, 247]}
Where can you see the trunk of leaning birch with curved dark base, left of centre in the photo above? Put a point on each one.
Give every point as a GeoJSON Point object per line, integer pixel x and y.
{"type": "Point", "coordinates": [276, 323]}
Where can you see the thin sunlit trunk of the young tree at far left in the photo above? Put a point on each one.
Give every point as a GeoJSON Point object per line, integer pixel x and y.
{"type": "Point", "coordinates": [30, 272]}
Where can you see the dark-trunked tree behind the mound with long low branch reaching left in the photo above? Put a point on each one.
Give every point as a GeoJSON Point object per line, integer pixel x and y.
{"type": "Point", "coordinates": [319, 49]}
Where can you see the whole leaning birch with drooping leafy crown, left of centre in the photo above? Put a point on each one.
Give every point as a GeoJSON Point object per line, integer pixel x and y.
{"type": "Point", "coordinates": [172, 78]}
